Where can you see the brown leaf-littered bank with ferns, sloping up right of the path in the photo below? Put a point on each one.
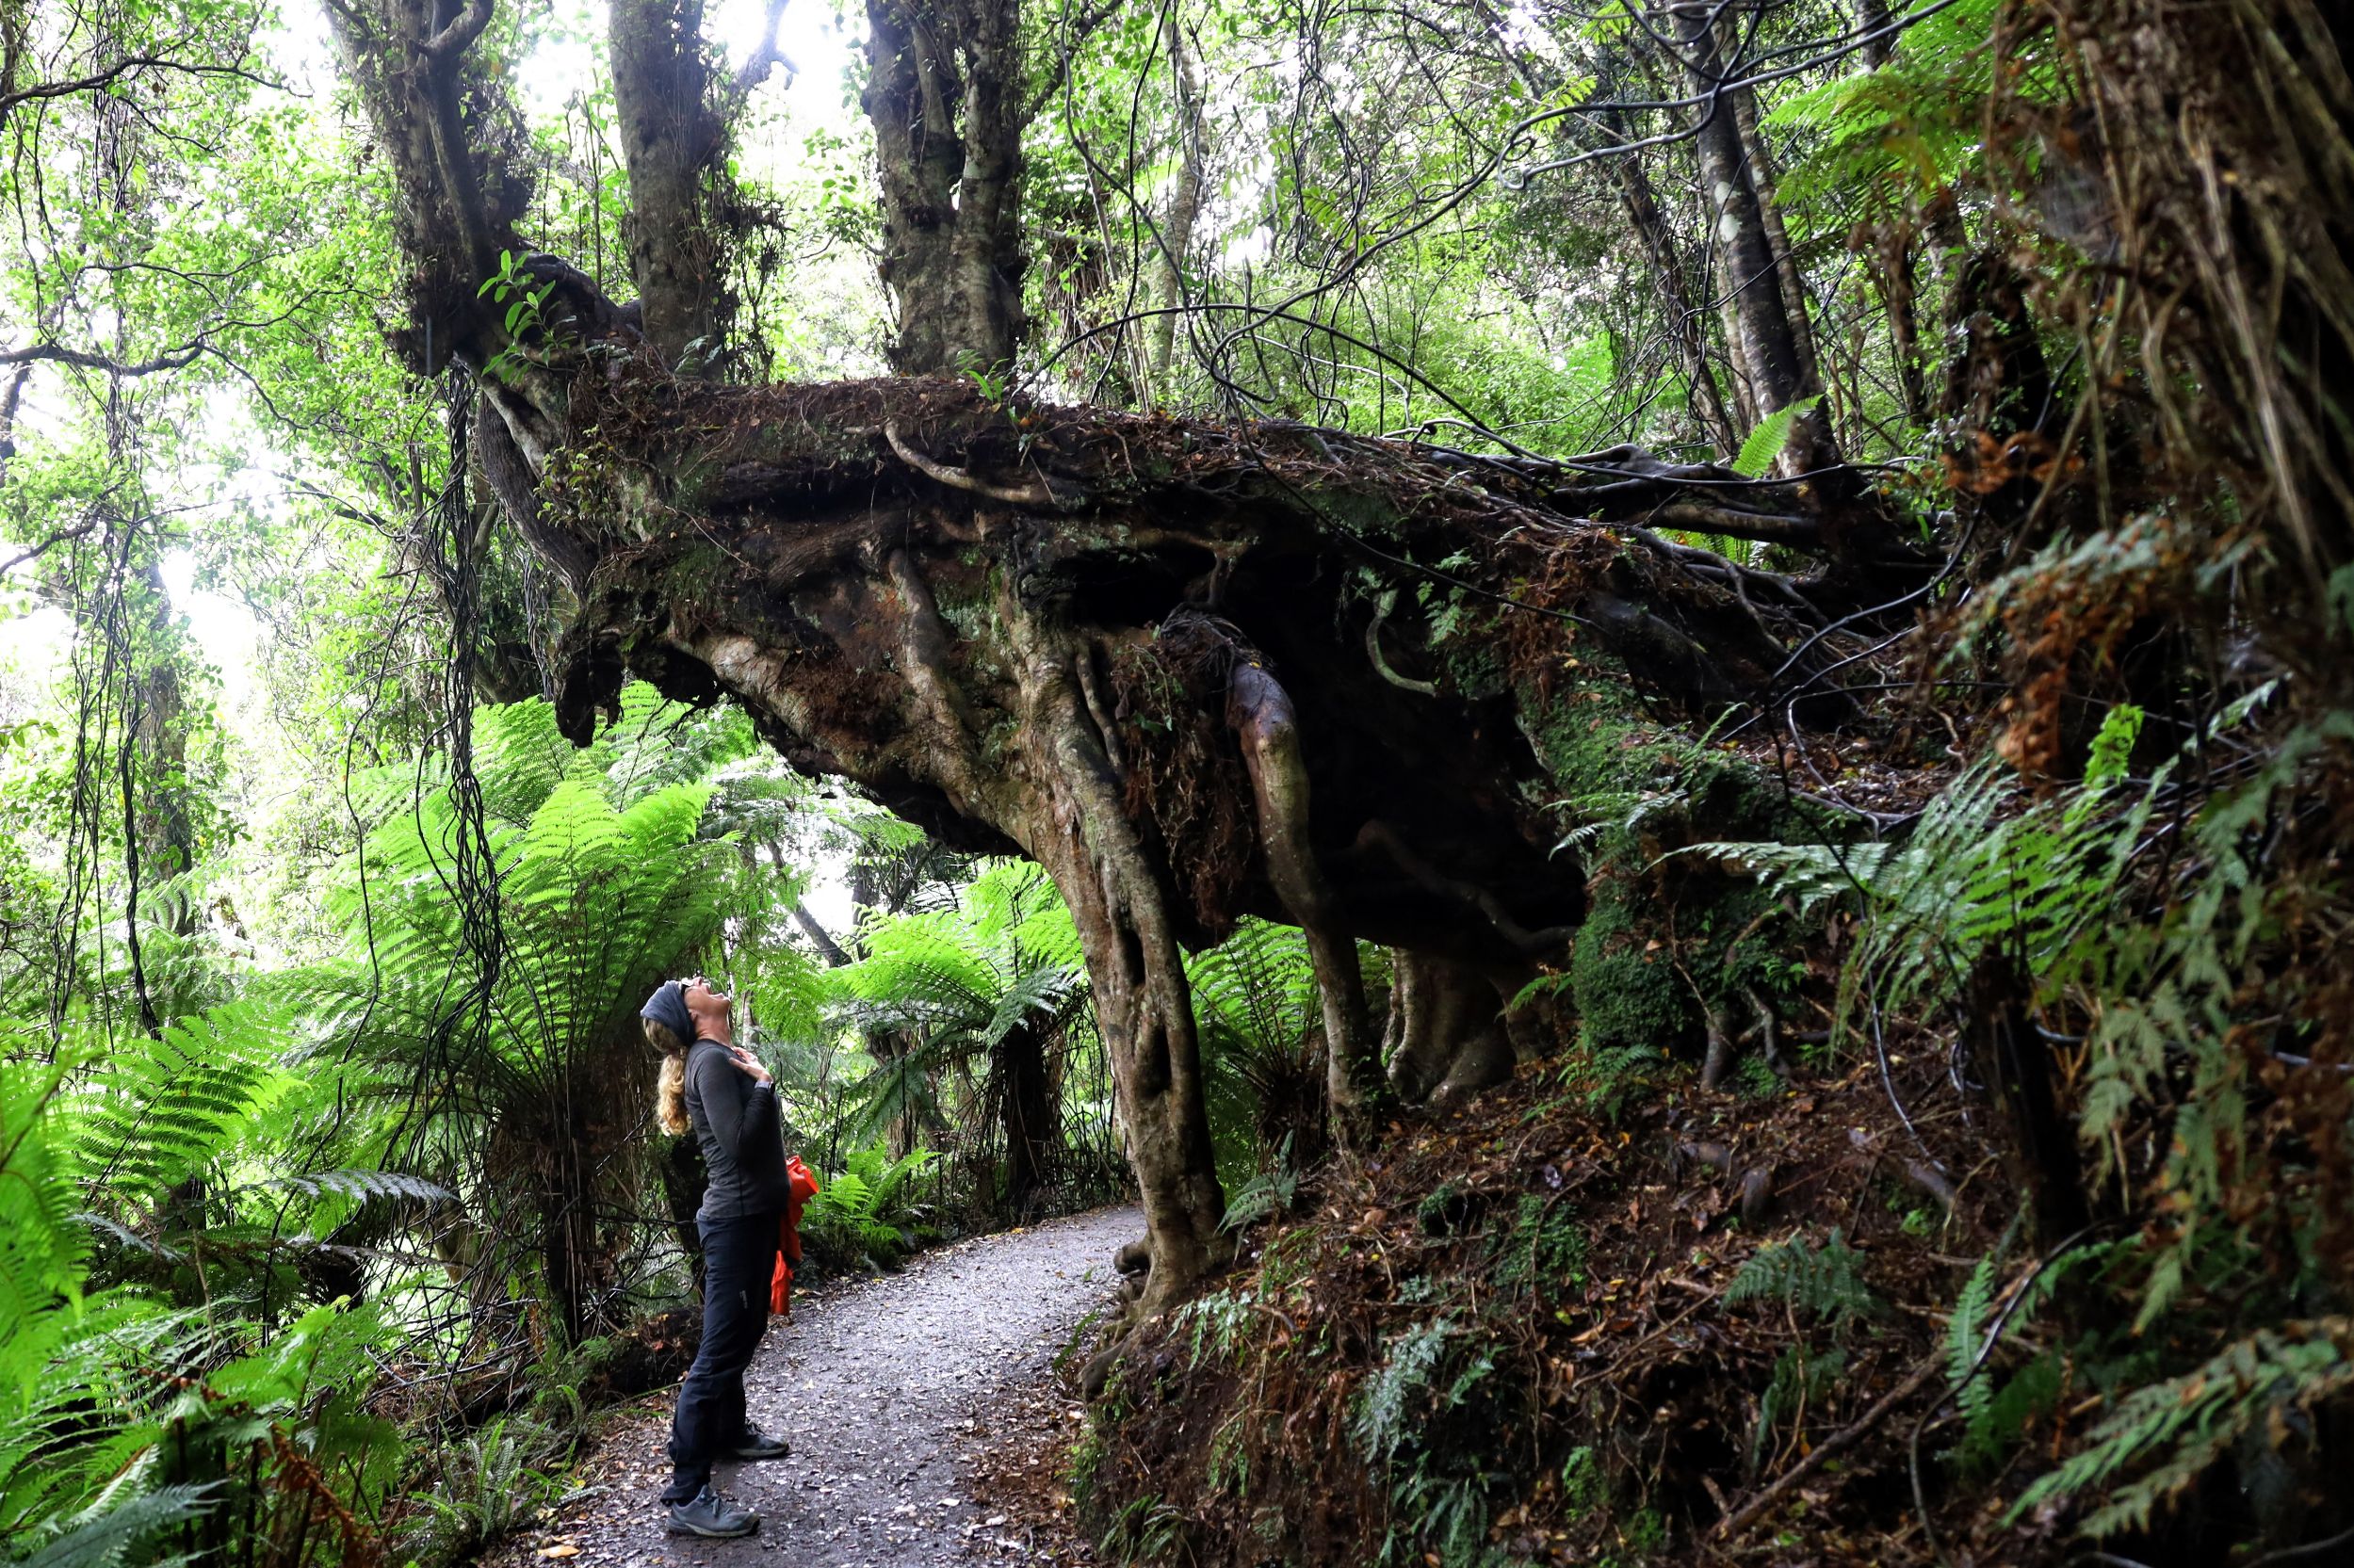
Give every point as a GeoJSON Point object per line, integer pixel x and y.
{"type": "Point", "coordinates": [1835, 1305]}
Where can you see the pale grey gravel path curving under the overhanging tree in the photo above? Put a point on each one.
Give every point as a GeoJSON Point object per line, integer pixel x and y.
{"type": "Point", "coordinates": [886, 1390]}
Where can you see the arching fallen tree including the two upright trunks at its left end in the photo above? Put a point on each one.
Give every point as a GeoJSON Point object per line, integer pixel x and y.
{"type": "Point", "coordinates": [1192, 670]}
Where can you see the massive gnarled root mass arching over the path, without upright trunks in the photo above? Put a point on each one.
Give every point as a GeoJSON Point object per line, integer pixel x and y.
{"type": "Point", "coordinates": [1136, 651]}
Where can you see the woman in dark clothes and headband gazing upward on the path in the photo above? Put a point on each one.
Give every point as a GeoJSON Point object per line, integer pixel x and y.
{"type": "Point", "coordinates": [726, 1096]}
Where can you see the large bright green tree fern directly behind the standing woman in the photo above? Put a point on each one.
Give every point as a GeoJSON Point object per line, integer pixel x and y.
{"type": "Point", "coordinates": [604, 889]}
